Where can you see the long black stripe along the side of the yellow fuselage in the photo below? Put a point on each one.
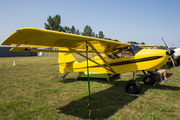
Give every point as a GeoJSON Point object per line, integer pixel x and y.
{"type": "Point", "coordinates": [127, 62]}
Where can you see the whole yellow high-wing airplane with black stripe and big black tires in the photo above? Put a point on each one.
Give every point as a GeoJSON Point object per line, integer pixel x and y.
{"type": "Point", "coordinates": [112, 57]}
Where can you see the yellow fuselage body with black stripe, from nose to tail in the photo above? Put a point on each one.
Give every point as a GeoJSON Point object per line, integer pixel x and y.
{"type": "Point", "coordinates": [145, 59]}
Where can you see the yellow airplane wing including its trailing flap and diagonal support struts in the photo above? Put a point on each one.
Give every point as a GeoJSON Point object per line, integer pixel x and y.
{"type": "Point", "coordinates": [40, 38]}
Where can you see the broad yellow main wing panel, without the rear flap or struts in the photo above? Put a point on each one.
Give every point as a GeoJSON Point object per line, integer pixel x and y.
{"type": "Point", "coordinates": [34, 37]}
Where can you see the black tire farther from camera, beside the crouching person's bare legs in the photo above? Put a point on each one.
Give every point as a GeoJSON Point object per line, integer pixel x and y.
{"type": "Point", "coordinates": [149, 79]}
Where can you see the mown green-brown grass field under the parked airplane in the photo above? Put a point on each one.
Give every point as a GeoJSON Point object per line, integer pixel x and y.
{"type": "Point", "coordinates": [29, 90]}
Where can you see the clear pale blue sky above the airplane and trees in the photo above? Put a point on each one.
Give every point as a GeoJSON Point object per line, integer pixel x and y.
{"type": "Point", "coordinates": [125, 20]}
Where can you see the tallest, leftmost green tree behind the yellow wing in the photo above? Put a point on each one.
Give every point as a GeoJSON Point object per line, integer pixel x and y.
{"type": "Point", "coordinates": [53, 23]}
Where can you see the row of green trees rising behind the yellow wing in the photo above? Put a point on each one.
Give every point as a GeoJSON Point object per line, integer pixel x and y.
{"type": "Point", "coordinates": [54, 23]}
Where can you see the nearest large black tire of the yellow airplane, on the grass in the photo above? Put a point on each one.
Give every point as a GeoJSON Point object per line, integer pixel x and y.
{"type": "Point", "coordinates": [133, 87]}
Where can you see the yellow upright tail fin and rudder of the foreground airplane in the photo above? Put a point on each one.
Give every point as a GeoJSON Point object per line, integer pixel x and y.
{"type": "Point", "coordinates": [65, 61]}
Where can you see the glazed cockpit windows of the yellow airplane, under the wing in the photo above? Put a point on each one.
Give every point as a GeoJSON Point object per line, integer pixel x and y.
{"type": "Point", "coordinates": [125, 51]}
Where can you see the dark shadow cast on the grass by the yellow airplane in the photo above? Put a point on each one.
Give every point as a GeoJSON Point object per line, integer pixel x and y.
{"type": "Point", "coordinates": [109, 101]}
